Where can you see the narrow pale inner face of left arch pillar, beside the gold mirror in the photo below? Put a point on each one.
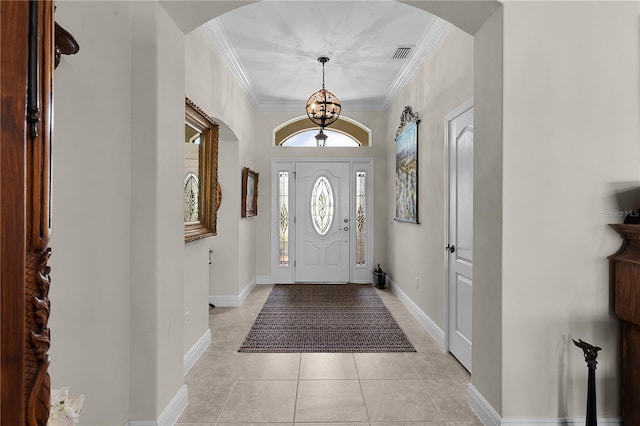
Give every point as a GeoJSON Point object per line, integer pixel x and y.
{"type": "Point", "coordinates": [170, 225]}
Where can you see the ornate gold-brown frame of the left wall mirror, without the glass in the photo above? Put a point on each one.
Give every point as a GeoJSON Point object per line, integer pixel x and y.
{"type": "Point", "coordinates": [208, 173]}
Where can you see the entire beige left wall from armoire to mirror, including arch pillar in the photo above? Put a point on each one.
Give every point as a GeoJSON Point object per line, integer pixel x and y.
{"type": "Point", "coordinates": [117, 198]}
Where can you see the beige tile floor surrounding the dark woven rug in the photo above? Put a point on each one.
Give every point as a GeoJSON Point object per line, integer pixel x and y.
{"type": "Point", "coordinates": [226, 387]}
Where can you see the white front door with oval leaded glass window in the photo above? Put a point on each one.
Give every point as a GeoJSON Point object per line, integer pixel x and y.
{"type": "Point", "coordinates": [322, 222]}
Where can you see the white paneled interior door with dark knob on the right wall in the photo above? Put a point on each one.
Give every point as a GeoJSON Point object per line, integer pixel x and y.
{"type": "Point", "coordinates": [460, 241]}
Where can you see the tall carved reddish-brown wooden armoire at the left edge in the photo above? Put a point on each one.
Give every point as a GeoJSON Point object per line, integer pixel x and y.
{"type": "Point", "coordinates": [30, 45]}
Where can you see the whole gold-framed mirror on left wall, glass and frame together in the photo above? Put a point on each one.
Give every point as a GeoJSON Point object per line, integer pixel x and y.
{"type": "Point", "coordinates": [200, 173]}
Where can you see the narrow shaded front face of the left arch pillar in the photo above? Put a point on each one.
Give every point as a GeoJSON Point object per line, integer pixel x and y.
{"type": "Point", "coordinates": [143, 293]}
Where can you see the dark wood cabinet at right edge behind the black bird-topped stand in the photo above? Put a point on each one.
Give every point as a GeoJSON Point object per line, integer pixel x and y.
{"type": "Point", "coordinates": [625, 264]}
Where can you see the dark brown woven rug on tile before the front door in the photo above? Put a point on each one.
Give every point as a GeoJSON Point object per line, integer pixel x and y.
{"type": "Point", "coordinates": [325, 318]}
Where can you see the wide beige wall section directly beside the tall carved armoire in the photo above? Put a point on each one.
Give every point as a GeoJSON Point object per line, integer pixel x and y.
{"type": "Point", "coordinates": [91, 202]}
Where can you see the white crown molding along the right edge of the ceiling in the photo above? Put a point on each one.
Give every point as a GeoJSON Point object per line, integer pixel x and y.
{"type": "Point", "coordinates": [425, 45]}
